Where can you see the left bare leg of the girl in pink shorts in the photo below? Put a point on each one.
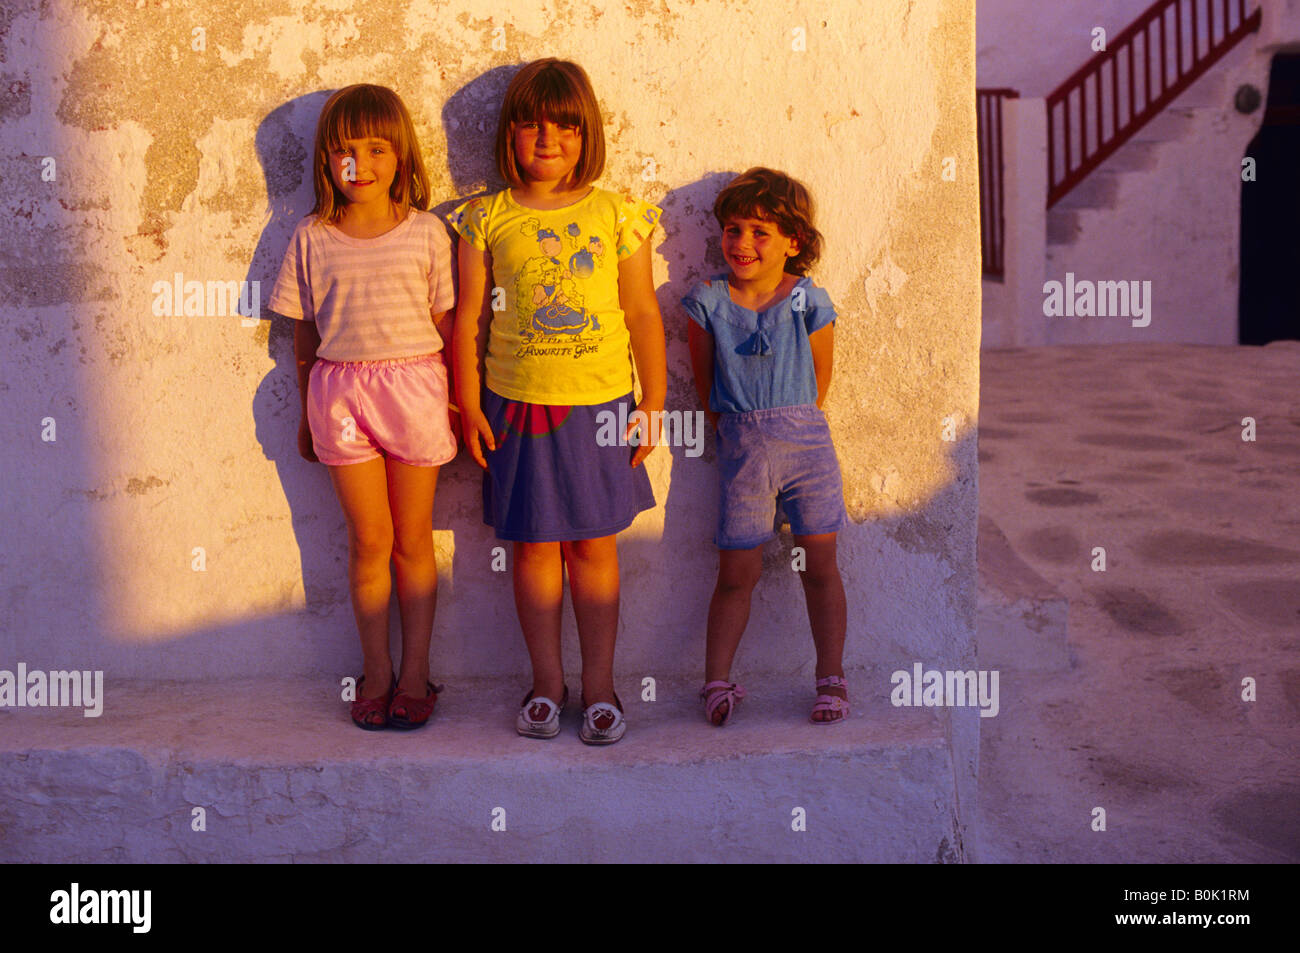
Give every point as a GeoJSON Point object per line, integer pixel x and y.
{"type": "Point", "coordinates": [363, 493]}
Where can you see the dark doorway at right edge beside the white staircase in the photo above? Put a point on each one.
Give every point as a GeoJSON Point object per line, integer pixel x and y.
{"type": "Point", "coordinates": [1269, 298]}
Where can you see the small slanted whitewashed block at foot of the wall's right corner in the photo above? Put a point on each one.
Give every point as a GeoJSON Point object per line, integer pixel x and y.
{"type": "Point", "coordinates": [1022, 622]}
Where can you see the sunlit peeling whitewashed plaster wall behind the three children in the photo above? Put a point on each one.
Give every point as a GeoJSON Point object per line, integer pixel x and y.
{"type": "Point", "coordinates": [177, 434]}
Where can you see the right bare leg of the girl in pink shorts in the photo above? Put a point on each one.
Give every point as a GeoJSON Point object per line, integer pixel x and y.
{"type": "Point", "coordinates": [411, 501]}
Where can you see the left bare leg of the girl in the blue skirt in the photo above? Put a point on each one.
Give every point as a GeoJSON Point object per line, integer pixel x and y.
{"type": "Point", "coordinates": [539, 596]}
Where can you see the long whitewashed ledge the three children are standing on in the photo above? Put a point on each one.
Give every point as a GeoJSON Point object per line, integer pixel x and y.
{"type": "Point", "coordinates": [284, 776]}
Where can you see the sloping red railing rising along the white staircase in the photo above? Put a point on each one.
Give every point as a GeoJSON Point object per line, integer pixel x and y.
{"type": "Point", "coordinates": [1113, 96]}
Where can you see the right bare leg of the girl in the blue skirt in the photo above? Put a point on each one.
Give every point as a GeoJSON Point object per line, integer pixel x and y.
{"type": "Point", "coordinates": [593, 566]}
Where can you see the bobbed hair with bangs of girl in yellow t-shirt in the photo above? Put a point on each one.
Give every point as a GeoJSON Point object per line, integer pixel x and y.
{"type": "Point", "coordinates": [560, 92]}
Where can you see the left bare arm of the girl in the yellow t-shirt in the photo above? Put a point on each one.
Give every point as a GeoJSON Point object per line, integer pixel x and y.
{"type": "Point", "coordinates": [470, 345]}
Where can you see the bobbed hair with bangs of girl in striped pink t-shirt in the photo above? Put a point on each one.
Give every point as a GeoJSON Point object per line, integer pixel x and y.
{"type": "Point", "coordinates": [365, 112]}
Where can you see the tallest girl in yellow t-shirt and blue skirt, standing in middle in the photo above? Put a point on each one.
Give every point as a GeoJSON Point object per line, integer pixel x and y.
{"type": "Point", "coordinates": [557, 304]}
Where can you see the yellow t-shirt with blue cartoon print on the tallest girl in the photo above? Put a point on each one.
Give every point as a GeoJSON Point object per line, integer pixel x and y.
{"type": "Point", "coordinates": [557, 335]}
